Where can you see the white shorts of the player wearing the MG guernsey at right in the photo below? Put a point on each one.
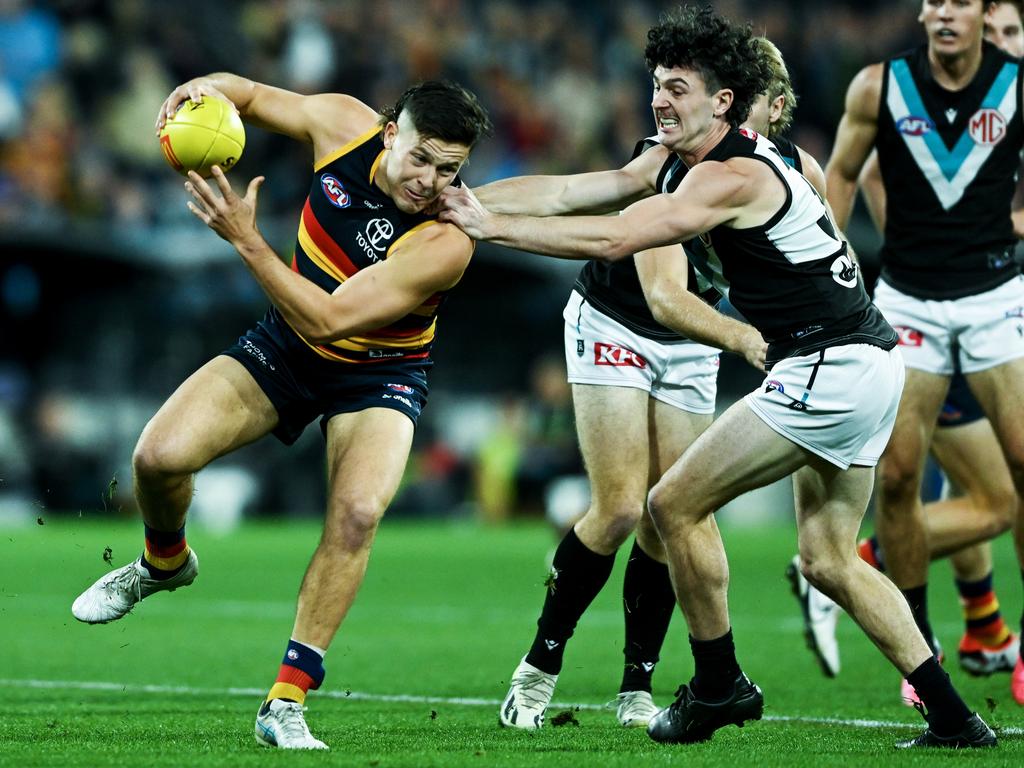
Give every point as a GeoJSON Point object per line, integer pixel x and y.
{"type": "Point", "coordinates": [989, 328]}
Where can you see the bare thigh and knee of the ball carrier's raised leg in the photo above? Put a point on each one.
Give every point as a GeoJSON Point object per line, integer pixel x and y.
{"type": "Point", "coordinates": [216, 411]}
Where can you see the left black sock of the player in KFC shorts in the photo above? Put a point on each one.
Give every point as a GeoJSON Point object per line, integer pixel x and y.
{"type": "Point", "coordinates": [578, 575]}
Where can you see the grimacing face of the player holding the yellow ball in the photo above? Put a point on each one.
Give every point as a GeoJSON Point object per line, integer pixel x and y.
{"type": "Point", "coordinates": [417, 169]}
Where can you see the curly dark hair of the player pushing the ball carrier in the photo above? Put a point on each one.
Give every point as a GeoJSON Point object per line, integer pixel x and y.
{"type": "Point", "coordinates": [699, 39]}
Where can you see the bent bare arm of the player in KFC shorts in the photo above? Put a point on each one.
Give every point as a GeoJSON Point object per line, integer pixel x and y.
{"type": "Point", "coordinates": [663, 277]}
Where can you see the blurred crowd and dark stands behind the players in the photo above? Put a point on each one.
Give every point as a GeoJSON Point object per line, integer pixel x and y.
{"type": "Point", "coordinates": [111, 293]}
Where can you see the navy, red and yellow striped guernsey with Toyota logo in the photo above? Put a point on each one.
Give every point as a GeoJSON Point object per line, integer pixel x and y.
{"type": "Point", "coordinates": [350, 224]}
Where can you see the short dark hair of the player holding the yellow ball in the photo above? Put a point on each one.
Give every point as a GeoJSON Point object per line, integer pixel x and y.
{"type": "Point", "coordinates": [442, 109]}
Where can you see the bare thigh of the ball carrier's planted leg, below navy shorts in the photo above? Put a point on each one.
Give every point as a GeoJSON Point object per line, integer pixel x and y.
{"type": "Point", "coordinates": [367, 453]}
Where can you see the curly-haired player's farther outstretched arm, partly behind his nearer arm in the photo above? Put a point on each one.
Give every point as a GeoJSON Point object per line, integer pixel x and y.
{"type": "Point", "coordinates": [601, 192]}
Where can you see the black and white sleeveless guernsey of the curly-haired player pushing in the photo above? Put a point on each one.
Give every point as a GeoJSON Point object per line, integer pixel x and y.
{"type": "Point", "coordinates": [791, 278]}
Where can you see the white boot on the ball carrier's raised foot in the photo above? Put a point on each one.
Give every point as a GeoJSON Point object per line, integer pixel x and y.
{"type": "Point", "coordinates": [116, 594]}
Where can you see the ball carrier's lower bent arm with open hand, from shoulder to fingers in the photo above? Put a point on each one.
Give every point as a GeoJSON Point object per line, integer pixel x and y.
{"type": "Point", "coordinates": [431, 261]}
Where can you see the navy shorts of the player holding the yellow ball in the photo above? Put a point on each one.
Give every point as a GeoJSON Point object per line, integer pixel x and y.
{"type": "Point", "coordinates": [303, 386]}
